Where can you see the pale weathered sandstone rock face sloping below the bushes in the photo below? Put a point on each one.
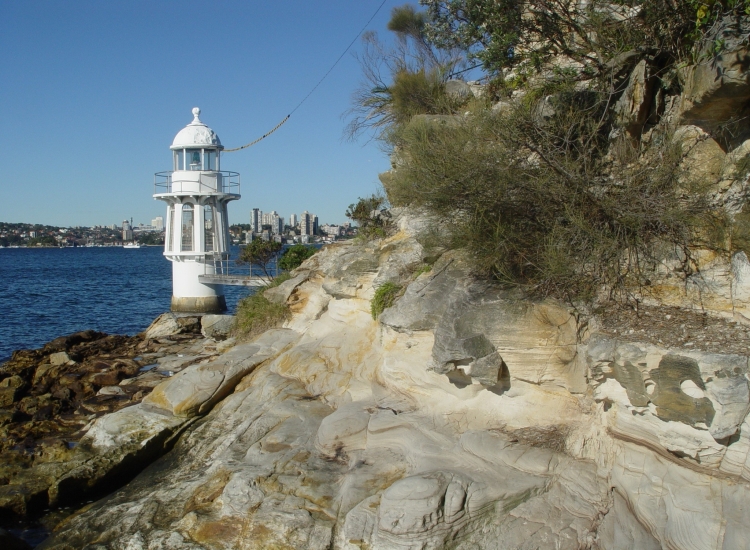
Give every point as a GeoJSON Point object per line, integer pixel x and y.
{"type": "Point", "coordinates": [466, 417]}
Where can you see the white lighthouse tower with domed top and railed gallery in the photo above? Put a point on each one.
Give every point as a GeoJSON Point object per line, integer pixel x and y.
{"type": "Point", "coordinates": [197, 192]}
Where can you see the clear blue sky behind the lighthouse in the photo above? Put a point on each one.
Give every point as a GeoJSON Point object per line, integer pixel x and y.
{"type": "Point", "coordinates": [93, 92]}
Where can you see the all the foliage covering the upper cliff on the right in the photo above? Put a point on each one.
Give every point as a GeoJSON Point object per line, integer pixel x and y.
{"type": "Point", "coordinates": [554, 191]}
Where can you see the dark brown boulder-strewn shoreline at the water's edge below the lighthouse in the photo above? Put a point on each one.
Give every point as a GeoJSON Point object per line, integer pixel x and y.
{"type": "Point", "coordinates": [50, 397]}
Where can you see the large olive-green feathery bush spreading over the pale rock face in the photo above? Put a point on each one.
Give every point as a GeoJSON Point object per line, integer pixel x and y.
{"type": "Point", "coordinates": [530, 196]}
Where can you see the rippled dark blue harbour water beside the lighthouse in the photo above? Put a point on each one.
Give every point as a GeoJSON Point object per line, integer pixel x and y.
{"type": "Point", "coordinates": [50, 292]}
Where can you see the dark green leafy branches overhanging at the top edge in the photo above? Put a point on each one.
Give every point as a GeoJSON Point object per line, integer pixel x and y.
{"type": "Point", "coordinates": [528, 34]}
